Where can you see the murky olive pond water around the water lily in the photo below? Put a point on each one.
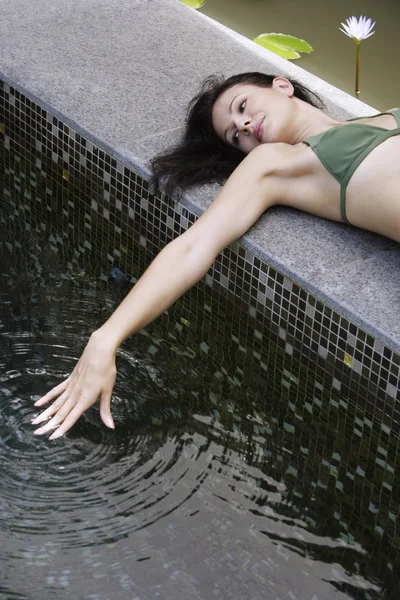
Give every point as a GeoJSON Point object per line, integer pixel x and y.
{"type": "Point", "coordinates": [318, 23]}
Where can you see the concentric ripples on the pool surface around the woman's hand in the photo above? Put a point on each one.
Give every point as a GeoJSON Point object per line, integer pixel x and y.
{"type": "Point", "coordinates": [91, 486]}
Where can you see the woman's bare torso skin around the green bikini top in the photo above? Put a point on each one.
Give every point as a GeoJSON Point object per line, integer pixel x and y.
{"type": "Point", "coordinates": [372, 194]}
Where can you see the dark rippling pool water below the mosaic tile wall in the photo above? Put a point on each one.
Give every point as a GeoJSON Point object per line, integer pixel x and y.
{"type": "Point", "coordinates": [221, 478]}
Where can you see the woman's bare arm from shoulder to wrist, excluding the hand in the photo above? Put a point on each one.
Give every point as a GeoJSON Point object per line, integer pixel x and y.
{"type": "Point", "coordinates": [183, 262]}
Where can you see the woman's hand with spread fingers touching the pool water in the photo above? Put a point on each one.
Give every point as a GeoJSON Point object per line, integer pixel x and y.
{"type": "Point", "coordinates": [93, 378]}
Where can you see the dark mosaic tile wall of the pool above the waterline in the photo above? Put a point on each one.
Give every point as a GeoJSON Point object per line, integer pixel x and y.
{"type": "Point", "coordinates": [310, 335]}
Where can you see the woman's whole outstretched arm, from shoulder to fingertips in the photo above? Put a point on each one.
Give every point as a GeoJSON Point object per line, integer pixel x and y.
{"type": "Point", "coordinates": [182, 263]}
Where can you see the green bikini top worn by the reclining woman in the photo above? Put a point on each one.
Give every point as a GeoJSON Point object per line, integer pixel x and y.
{"type": "Point", "coordinates": [343, 148]}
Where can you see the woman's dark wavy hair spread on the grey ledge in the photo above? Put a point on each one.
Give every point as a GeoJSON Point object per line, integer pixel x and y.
{"type": "Point", "coordinates": [201, 156]}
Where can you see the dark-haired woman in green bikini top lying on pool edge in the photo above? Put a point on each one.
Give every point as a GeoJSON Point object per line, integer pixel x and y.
{"type": "Point", "coordinates": [282, 149]}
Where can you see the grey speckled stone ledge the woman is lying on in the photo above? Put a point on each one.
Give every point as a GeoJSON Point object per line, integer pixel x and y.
{"type": "Point", "coordinates": [121, 72]}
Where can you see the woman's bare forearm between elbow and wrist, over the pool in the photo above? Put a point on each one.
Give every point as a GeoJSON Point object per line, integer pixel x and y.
{"type": "Point", "coordinates": [177, 268]}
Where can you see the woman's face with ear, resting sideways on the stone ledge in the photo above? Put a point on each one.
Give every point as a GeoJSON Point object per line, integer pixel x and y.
{"type": "Point", "coordinates": [246, 115]}
